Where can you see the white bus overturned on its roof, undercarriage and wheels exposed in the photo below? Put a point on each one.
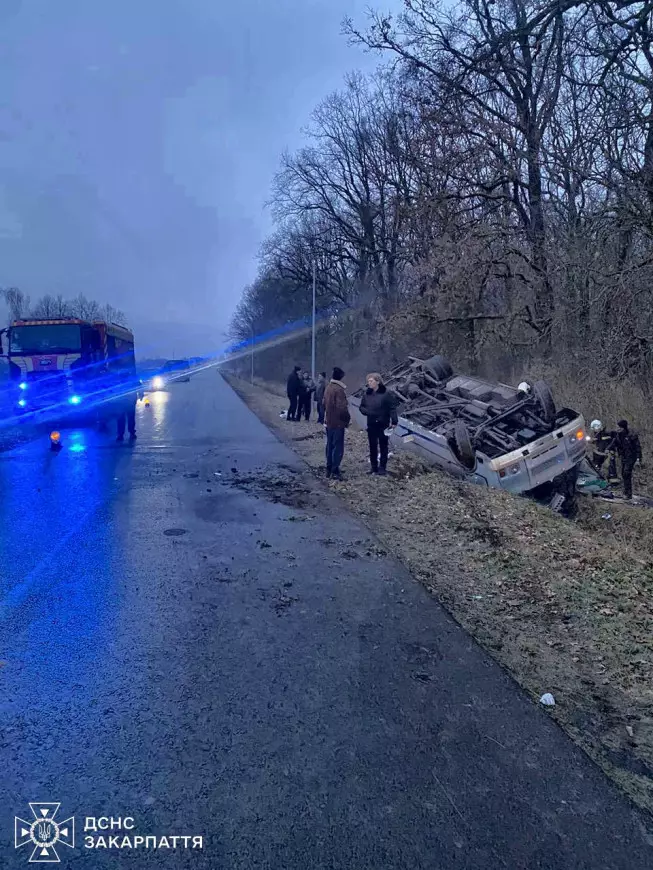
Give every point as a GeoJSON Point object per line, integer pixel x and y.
{"type": "Point", "coordinates": [488, 433]}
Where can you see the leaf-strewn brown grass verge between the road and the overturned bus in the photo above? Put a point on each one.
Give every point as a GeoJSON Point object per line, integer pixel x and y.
{"type": "Point", "coordinates": [566, 607]}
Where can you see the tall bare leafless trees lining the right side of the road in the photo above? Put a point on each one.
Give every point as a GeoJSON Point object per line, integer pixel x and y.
{"type": "Point", "coordinates": [488, 190]}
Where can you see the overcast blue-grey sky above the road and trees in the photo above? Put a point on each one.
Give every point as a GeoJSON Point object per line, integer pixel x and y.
{"type": "Point", "coordinates": [138, 140]}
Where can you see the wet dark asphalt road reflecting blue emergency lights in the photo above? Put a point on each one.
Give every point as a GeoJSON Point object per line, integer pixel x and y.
{"type": "Point", "coordinates": [226, 653]}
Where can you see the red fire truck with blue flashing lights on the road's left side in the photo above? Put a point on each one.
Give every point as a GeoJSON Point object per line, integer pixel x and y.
{"type": "Point", "coordinates": [57, 363]}
